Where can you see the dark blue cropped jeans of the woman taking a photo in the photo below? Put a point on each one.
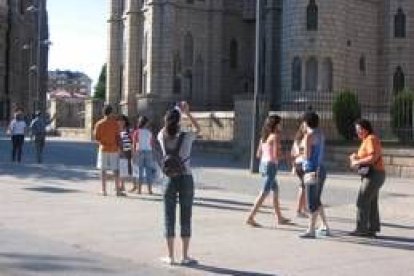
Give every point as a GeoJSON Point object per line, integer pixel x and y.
{"type": "Point", "coordinates": [183, 187]}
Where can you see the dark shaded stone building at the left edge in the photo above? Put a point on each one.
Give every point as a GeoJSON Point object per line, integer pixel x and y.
{"type": "Point", "coordinates": [23, 55]}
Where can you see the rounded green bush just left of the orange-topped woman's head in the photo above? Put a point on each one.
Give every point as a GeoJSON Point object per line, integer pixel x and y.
{"type": "Point", "coordinates": [346, 111]}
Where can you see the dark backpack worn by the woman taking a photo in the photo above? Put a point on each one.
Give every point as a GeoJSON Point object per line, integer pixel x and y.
{"type": "Point", "coordinates": [172, 164]}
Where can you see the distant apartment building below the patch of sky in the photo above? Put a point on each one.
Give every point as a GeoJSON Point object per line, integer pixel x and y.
{"type": "Point", "coordinates": [70, 82]}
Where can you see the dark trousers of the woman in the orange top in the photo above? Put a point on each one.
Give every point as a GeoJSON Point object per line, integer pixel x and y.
{"type": "Point", "coordinates": [368, 219]}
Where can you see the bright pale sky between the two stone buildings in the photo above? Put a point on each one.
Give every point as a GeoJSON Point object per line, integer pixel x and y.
{"type": "Point", "coordinates": [78, 32]}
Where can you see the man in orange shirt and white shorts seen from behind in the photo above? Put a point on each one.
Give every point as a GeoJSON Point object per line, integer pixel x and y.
{"type": "Point", "coordinates": [106, 132]}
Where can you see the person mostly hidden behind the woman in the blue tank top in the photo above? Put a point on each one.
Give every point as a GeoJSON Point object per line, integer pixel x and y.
{"type": "Point", "coordinates": [297, 156]}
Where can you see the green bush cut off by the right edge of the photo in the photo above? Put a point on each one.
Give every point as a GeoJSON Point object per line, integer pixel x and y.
{"type": "Point", "coordinates": [402, 115]}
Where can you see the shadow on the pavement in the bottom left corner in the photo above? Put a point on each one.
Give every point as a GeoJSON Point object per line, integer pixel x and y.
{"type": "Point", "coordinates": [49, 263]}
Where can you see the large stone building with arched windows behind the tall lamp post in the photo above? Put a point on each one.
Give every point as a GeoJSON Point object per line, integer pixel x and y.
{"type": "Point", "coordinates": [203, 51]}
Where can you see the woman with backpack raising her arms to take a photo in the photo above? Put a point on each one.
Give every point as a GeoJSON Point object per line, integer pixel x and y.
{"type": "Point", "coordinates": [176, 145]}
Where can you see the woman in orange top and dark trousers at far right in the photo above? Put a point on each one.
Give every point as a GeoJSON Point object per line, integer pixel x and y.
{"type": "Point", "coordinates": [370, 165]}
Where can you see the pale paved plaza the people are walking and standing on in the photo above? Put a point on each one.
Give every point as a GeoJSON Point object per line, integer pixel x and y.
{"type": "Point", "coordinates": [53, 222]}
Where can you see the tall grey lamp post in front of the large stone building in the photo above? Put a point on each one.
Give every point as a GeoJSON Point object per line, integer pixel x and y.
{"type": "Point", "coordinates": [258, 84]}
